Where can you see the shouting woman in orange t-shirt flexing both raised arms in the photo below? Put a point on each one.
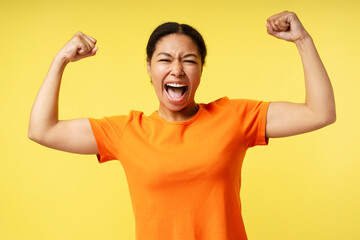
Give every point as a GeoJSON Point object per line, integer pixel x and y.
{"type": "Point", "coordinates": [183, 162]}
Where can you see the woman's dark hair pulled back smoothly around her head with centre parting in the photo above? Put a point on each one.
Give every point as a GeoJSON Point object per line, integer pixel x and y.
{"type": "Point", "coordinates": [171, 28]}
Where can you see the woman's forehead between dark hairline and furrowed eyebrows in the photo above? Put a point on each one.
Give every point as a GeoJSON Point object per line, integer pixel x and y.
{"type": "Point", "coordinates": [176, 43]}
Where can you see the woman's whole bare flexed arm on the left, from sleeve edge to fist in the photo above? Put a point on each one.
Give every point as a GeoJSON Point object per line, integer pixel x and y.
{"type": "Point", "coordinates": [44, 127]}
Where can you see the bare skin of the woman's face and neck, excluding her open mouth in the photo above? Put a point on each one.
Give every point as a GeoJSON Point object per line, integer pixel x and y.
{"type": "Point", "coordinates": [175, 60]}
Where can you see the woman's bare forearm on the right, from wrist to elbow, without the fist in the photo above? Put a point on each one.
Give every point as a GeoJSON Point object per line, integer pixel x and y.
{"type": "Point", "coordinates": [319, 93]}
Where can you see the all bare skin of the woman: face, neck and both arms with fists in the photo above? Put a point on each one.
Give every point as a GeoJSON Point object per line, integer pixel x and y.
{"type": "Point", "coordinates": [176, 59]}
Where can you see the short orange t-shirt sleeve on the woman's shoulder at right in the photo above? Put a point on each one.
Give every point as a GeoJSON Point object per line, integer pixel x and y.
{"type": "Point", "coordinates": [252, 115]}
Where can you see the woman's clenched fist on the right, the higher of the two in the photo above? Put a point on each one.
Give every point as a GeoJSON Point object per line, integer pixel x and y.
{"type": "Point", "coordinates": [286, 25]}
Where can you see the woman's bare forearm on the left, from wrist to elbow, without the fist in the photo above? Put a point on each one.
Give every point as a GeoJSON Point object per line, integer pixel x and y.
{"type": "Point", "coordinates": [44, 113]}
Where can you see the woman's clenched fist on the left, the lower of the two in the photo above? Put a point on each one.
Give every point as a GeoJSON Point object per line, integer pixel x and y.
{"type": "Point", "coordinates": [80, 46]}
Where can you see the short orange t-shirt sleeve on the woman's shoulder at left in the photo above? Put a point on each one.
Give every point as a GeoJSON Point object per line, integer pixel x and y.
{"type": "Point", "coordinates": [108, 132]}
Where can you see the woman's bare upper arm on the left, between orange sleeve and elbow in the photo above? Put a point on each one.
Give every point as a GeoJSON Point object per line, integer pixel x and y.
{"type": "Point", "coordinates": [74, 136]}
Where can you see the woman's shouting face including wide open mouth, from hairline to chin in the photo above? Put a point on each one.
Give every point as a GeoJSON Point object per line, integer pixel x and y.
{"type": "Point", "coordinates": [175, 70]}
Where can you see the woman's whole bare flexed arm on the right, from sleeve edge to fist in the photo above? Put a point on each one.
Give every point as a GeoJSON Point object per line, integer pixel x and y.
{"type": "Point", "coordinates": [318, 110]}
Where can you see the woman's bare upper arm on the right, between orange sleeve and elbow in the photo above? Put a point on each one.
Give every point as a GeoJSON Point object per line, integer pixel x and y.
{"type": "Point", "coordinates": [287, 119]}
